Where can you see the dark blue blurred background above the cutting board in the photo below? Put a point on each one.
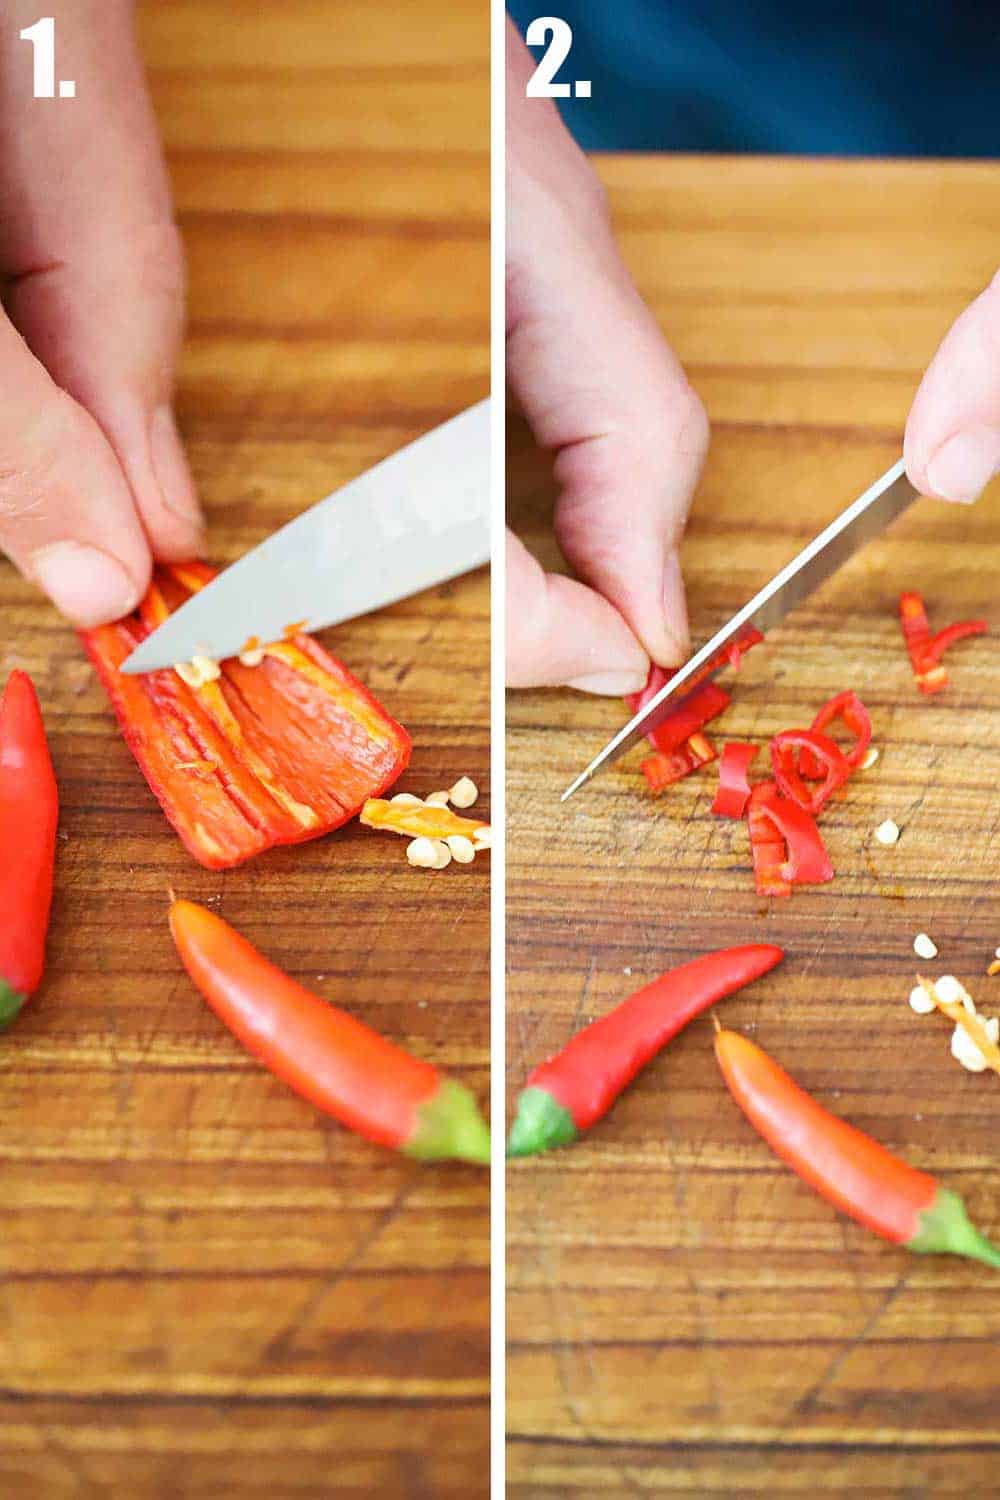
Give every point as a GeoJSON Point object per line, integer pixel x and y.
{"type": "Point", "coordinates": [846, 79]}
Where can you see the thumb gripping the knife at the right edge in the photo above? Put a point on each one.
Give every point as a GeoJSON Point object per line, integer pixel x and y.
{"type": "Point", "coordinates": [953, 434]}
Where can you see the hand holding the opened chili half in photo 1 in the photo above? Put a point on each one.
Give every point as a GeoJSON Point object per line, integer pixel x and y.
{"type": "Point", "coordinates": [94, 479]}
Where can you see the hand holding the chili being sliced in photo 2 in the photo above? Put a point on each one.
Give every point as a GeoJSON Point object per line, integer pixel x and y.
{"type": "Point", "coordinates": [603, 392]}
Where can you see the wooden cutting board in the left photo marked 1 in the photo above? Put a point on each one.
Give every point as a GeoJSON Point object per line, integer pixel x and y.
{"type": "Point", "coordinates": [208, 1288]}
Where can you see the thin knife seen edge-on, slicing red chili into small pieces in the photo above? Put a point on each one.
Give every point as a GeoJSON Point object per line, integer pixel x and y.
{"type": "Point", "coordinates": [863, 521]}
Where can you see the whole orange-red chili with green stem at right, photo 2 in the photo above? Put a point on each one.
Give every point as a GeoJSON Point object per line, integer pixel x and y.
{"type": "Point", "coordinates": [843, 1165]}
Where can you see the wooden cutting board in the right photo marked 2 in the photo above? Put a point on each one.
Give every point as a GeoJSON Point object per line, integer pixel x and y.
{"type": "Point", "coordinates": [684, 1318]}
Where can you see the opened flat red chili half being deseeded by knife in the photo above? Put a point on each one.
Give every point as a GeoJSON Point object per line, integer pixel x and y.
{"type": "Point", "coordinates": [259, 757]}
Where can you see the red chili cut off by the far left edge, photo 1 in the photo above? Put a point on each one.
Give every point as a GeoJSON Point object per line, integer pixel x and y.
{"type": "Point", "coordinates": [29, 818]}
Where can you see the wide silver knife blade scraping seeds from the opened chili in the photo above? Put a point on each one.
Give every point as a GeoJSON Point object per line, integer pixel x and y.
{"type": "Point", "coordinates": [419, 518]}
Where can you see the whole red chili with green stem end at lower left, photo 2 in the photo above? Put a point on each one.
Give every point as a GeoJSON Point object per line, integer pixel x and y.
{"type": "Point", "coordinates": [576, 1087]}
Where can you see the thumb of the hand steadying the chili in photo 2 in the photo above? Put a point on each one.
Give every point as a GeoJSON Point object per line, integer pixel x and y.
{"type": "Point", "coordinates": [560, 631]}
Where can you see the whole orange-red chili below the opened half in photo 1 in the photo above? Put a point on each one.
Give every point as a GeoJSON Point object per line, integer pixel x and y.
{"type": "Point", "coordinates": [332, 1060]}
